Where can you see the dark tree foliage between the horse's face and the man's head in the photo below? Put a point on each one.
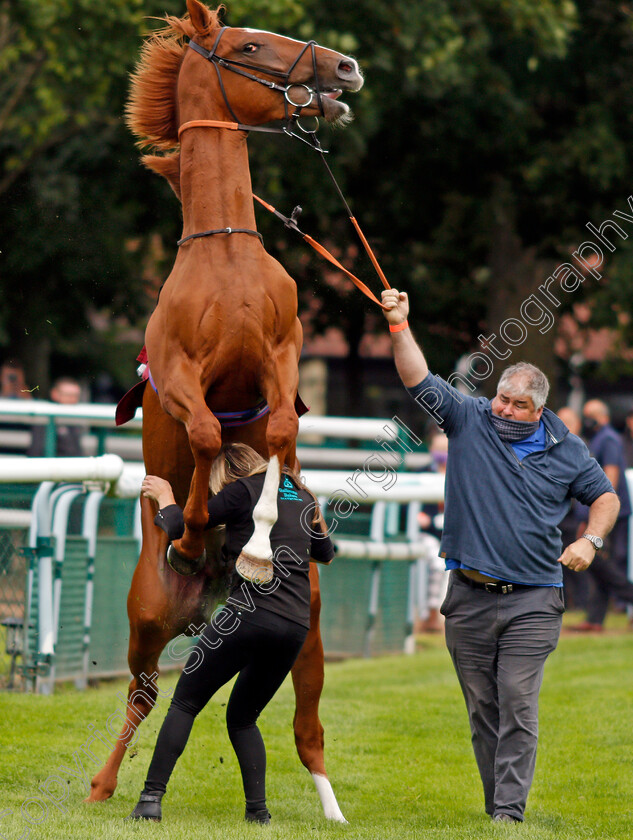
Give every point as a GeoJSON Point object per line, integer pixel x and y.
{"type": "Point", "coordinates": [487, 136]}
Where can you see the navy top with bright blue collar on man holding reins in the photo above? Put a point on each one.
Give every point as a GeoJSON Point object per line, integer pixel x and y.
{"type": "Point", "coordinates": [503, 507]}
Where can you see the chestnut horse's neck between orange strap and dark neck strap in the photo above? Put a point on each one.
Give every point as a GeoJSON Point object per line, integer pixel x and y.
{"type": "Point", "coordinates": [215, 180]}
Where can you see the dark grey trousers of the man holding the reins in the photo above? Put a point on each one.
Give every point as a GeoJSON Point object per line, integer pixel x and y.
{"type": "Point", "coordinates": [499, 644]}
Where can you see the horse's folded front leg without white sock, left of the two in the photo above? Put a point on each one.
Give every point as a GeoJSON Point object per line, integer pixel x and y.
{"type": "Point", "coordinates": [187, 555]}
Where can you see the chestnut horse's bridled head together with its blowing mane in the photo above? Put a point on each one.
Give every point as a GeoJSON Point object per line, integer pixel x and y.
{"type": "Point", "coordinates": [173, 83]}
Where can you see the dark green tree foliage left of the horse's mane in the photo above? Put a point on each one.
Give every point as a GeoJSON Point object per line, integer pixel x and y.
{"type": "Point", "coordinates": [72, 209]}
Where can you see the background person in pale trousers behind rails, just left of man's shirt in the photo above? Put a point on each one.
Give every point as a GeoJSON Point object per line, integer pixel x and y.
{"type": "Point", "coordinates": [431, 520]}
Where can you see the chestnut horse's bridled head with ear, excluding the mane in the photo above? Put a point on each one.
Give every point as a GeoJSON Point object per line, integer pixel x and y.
{"type": "Point", "coordinates": [255, 77]}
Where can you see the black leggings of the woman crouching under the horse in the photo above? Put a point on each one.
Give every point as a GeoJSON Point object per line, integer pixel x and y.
{"type": "Point", "coordinates": [263, 656]}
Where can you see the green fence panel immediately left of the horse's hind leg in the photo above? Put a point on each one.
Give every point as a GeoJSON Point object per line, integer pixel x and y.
{"type": "Point", "coordinates": [115, 562]}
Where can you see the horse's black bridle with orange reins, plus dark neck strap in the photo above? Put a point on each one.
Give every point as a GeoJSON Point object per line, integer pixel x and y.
{"type": "Point", "coordinates": [290, 122]}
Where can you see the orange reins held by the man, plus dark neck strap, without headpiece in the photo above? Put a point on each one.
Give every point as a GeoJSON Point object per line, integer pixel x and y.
{"type": "Point", "coordinates": [290, 222]}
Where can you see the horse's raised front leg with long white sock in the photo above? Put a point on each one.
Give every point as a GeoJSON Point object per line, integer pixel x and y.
{"type": "Point", "coordinates": [280, 387]}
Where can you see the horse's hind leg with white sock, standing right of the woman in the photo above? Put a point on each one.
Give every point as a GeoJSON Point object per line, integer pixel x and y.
{"type": "Point", "coordinates": [307, 678]}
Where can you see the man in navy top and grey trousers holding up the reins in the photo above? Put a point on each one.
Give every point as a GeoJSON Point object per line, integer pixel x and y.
{"type": "Point", "coordinates": [512, 470]}
